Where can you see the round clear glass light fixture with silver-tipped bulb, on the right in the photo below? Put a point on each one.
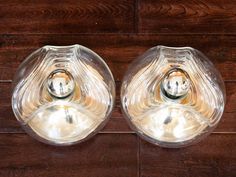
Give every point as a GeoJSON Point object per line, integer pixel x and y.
{"type": "Point", "coordinates": [173, 97]}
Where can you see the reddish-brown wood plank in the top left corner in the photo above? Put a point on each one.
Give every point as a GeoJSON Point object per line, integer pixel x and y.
{"type": "Point", "coordinates": [84, 16]}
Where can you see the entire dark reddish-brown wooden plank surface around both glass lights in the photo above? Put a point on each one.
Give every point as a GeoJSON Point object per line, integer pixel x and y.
{"type": "Point", "coordinates": [118, 31]}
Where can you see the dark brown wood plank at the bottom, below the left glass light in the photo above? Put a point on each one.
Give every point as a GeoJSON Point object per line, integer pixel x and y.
{"type": "Point", "coordinates": [101, 156]}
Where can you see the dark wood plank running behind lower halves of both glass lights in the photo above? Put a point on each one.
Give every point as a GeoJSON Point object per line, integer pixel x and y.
{"type": "Point", "coordinates": [117, 122]}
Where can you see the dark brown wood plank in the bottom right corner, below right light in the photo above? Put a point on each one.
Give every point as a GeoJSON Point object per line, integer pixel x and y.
{"type": "Point", "coordinates": [214, 156]}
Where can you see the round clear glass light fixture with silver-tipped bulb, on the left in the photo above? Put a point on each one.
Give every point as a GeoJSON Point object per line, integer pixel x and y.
{"type": "Point", "coordinates": [63, 95]}
